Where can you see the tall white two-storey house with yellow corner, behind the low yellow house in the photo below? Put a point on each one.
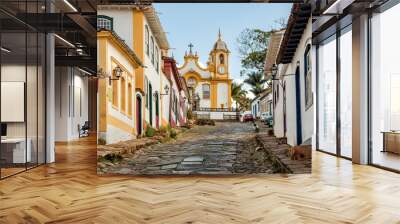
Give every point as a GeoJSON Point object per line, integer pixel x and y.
{"type": "Point", "coordinates": [141, 30]}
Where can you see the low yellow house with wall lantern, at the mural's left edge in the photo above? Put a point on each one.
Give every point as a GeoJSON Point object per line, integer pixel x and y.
{"type": "Point", "coordinates": [117, 63]}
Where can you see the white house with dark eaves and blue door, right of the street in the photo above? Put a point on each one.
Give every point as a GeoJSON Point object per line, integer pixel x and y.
{"type": "Point", "coordinates": [292, 80]}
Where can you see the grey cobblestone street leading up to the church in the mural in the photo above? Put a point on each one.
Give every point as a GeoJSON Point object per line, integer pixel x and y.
{"type": "Point", "coordinates": [201, 150]}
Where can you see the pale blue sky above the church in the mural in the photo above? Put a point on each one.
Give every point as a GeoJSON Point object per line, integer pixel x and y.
{"type": "Point", "coordinates": [199, 23]}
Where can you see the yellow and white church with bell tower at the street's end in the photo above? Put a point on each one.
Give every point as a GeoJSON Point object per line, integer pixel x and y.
{"type": "Point", "coordinates": [211, 85]}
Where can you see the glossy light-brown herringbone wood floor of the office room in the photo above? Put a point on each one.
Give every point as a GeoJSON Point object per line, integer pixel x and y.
{"type": "Point", "coordinates": [69, 191]}
